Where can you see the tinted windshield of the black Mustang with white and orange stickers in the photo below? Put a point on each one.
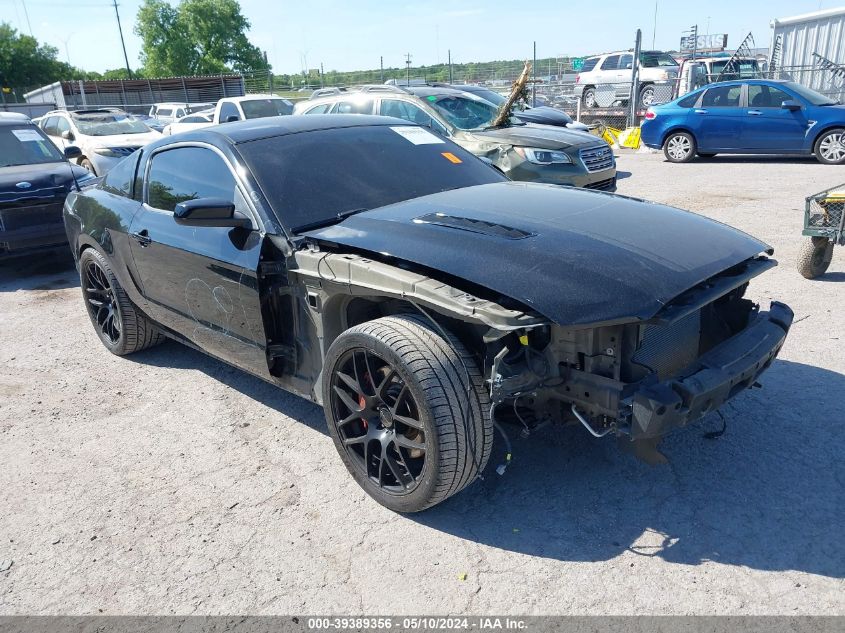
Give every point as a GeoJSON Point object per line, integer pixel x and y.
{"type": "Point", "coordinates": [311, 177]}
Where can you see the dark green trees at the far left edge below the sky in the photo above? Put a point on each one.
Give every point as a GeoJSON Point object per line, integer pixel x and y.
{"type": "Point", "coordinates": [24, 63]}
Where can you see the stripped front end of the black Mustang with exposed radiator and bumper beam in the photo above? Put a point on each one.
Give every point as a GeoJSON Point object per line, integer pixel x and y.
{"type": "Point", "coordinates": [643, 379]}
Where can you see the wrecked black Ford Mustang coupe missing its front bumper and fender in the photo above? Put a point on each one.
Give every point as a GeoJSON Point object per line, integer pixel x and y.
{"type": "Point", "coordinates": [418, 295]}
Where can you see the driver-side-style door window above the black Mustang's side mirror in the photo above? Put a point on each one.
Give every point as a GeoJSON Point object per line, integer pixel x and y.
{"type": "Point", "coordinates": [188, 173]}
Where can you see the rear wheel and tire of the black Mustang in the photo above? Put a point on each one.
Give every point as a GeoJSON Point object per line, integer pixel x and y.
{"type": "Point", "coordinates": [119, 325]}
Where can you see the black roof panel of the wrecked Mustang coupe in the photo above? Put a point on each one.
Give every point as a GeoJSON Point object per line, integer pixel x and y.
{"type": "Point", "coordinates": [267, 127]}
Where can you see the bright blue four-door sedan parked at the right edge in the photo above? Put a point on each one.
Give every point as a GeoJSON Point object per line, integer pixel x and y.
{"type": "Point", "coordinates": [748, 117]}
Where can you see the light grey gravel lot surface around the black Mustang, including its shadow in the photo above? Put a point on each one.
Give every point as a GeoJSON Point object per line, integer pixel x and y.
{"type": "Point", "coordinates": [171, 483]}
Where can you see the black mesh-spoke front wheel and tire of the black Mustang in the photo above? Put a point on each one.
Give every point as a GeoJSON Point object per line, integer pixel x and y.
{"type": "Point", "coordinates": [407, 411]}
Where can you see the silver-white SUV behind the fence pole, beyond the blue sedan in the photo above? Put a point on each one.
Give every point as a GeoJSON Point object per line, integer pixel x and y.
{"type": "Point", "coordinates": [607, 78]}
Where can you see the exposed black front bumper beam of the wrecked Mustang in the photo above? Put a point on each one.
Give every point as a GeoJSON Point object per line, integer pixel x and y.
{"type": "Point", "coordinates": [715, 378]}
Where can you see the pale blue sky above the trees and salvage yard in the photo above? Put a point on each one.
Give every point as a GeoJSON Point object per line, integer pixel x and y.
{"type": "Point", "coordinates": [299, 34]}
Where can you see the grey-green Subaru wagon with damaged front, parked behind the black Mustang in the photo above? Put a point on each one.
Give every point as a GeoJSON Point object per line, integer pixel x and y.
{"type": "Point", "coordinates": [535, 153]}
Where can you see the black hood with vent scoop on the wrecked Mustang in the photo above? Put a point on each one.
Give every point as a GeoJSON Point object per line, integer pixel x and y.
{"type": "Point", "coordinates": [573, 256]}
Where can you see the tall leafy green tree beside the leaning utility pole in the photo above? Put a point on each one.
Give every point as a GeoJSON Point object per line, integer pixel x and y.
{"type": "Point", "coordinates": [196, 37]}
